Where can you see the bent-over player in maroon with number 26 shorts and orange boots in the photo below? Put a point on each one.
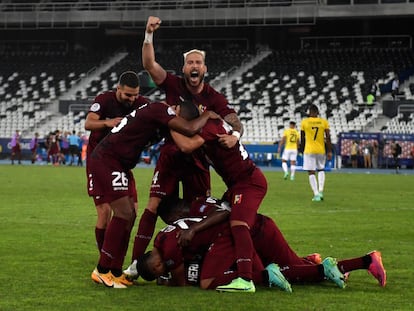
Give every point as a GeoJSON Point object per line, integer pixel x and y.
{"type": "Point", "coordinates": [110, 165]}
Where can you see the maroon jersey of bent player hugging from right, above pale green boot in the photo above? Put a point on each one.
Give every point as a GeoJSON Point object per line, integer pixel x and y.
{"type": "Point", "coordinates": [232, 164]}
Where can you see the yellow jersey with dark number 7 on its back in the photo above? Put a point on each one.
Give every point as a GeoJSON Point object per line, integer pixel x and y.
{"type": "Point", "coordinates": [314, 128]}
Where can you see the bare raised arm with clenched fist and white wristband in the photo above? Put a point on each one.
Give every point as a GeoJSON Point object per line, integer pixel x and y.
{"type": "Point", "coordinates": [157, 73]}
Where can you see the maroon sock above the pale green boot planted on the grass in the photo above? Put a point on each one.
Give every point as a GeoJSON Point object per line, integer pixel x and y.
{"type": "Point", "coordinates": [244, 251]}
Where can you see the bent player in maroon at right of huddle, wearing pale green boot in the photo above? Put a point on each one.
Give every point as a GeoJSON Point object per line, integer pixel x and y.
{"type": "Point", "coordinates": [246, 188]}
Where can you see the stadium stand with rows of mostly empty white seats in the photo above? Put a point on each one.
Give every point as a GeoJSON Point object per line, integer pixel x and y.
{"type": "Point", "coordinates": [268, 88]}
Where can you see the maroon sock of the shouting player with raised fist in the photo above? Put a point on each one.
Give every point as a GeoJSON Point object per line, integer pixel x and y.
{"type": "Point", "coordinates": [144, 234]}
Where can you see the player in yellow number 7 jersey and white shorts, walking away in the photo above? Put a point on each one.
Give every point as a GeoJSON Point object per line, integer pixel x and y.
{"type": "Point", "coordinates": [315, 135]}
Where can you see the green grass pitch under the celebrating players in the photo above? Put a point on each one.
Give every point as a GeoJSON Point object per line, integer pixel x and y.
{"type": "Point", "coordinates": [47, 243]}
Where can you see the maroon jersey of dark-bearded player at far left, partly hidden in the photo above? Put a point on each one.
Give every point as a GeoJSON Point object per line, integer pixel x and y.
{"type": "Point", "coordinates": [107, 107]}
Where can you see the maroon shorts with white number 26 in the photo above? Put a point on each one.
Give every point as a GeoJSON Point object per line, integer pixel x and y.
{"type": "Point", "coordinates": [107, 181]}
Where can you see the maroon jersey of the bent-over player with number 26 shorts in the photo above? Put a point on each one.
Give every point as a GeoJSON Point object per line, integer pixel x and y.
{"type": "Point", "coordinates": [142, 127]}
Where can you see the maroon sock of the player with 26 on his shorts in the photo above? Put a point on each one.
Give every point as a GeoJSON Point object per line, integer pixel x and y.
{"type": "Point", "coordinates": [112, 247]}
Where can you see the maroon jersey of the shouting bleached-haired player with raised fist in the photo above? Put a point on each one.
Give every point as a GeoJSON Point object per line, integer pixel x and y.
{"type": "Point", "coordinates": [207, 99]}
